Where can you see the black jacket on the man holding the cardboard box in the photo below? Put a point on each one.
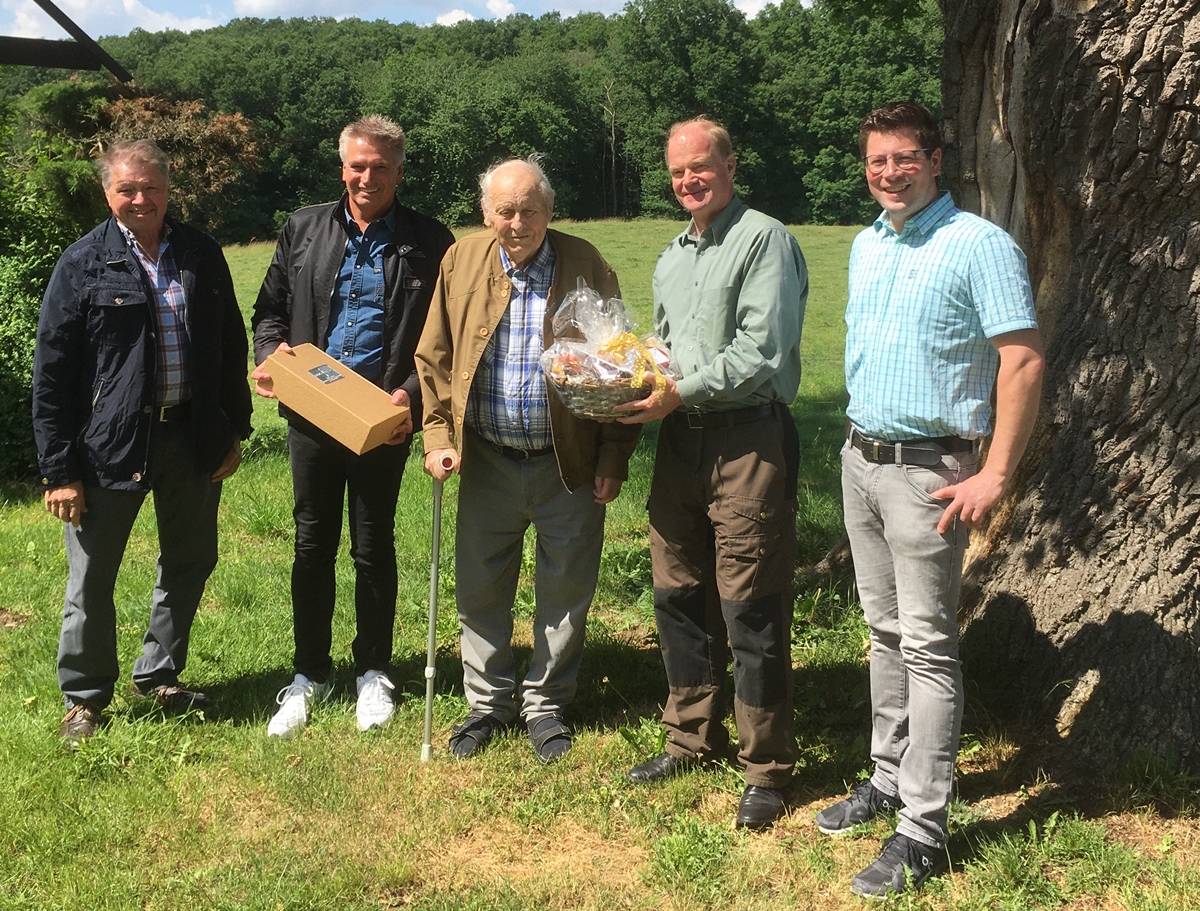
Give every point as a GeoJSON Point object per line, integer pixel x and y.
{"type": "Point", "coordinates": [293, 303]}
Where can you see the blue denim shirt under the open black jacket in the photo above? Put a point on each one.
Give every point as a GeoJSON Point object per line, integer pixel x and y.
{"type": "Point", "coordinates": [357, 310]}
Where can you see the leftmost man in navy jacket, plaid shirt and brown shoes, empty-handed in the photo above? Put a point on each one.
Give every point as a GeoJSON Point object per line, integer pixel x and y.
{"type": "Point", "coordinates": [140, 385]}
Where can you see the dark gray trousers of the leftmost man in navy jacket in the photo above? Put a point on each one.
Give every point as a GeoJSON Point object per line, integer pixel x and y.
{"type": "Point", "coordinates": [185, 504]}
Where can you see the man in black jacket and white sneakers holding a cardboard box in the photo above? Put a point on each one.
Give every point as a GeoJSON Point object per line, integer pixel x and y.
{"type": "Point", "coordinates": [355, 278]}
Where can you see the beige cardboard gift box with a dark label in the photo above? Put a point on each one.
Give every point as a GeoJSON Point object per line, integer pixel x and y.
{"type": "Point", "coordinates": [353, 411]}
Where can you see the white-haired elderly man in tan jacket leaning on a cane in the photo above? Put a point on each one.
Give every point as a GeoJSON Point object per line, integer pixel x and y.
{"type": "Point", "coordinates": [523, 458]}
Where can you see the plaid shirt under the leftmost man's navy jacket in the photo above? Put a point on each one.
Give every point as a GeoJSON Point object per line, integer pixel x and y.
{"type": "Point", "coordinates": [173, 373]}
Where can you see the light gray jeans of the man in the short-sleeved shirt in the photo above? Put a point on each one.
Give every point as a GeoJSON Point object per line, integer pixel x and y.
{"type": "Point", "coordinates": [909, 579]}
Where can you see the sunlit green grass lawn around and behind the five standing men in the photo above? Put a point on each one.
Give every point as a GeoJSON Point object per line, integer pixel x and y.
{"type": "Point", "coordinates": [191, 812]}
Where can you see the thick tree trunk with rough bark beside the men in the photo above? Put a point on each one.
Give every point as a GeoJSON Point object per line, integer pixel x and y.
{"type": "Point", "coordinates": [1076, 125]}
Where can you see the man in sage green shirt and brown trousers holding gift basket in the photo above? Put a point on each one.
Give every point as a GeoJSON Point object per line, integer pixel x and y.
{"type": "Point", "coordinates": [729, 301]}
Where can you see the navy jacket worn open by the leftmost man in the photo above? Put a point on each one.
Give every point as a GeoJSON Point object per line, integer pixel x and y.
{"type": "Point", "coordinates": [94, 364]}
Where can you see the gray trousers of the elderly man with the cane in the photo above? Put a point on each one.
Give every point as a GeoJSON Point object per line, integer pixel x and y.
{"type": "Point", "coordinates": [499, 500]}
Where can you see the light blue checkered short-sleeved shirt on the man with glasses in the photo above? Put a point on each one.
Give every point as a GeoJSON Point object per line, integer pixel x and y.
{"type": "Point", "coordinates": [922, 307]}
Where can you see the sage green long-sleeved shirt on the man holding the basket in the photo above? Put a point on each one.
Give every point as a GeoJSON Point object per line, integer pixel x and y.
{"type": "Point", "coordinates": [730, 305]}
